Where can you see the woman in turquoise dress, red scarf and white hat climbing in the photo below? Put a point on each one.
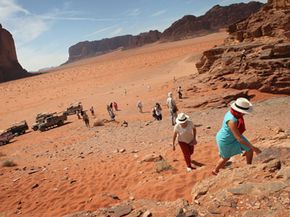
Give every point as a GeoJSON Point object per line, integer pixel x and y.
{"type": "Point", "coordinates": [230, 139]}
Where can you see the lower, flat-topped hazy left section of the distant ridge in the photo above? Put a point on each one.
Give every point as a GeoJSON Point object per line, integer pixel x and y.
{"type": "Point", "coordinates": [87, 49]}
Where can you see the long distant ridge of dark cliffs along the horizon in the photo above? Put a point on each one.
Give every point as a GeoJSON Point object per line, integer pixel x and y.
{"type": "Point", "coordinates": [188, 26]}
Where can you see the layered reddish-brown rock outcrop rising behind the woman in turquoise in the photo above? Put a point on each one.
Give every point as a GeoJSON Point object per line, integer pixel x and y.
{"type": "Point", "coordinates": [256, 55]}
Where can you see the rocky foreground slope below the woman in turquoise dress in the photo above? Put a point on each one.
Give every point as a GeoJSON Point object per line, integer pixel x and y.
{"type": "Point", "coordinates": [261, 189]}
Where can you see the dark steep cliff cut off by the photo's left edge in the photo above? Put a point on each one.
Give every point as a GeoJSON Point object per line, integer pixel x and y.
{"type": "Point", "coordinates": [10, 69]}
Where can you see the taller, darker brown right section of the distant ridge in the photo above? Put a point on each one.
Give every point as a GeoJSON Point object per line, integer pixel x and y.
{"type": "Point", "coordinates": [216, 18]}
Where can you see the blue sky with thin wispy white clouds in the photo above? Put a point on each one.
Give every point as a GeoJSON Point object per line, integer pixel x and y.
{"type": "Point", "coordinates": [43, 30]}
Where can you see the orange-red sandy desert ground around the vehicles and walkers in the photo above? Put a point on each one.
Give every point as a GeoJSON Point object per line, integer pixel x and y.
{"type": "Point", "coordinates": [78, 168]}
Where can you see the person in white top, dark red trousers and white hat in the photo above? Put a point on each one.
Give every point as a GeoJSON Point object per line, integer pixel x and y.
{"type": "Point", "coordinates": [186, 132]}
